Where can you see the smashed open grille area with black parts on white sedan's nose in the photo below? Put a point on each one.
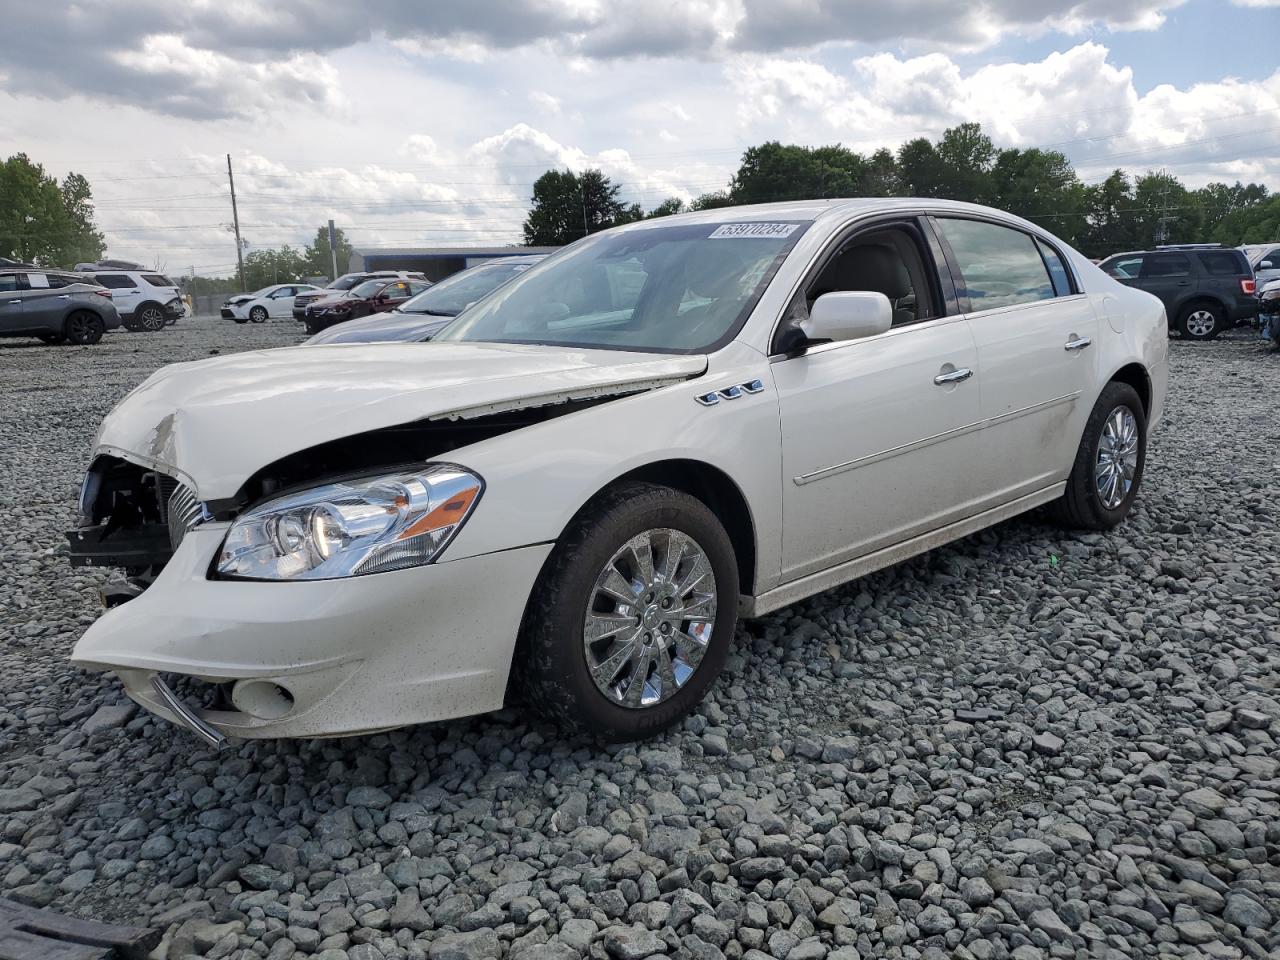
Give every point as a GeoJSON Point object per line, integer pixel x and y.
{"type": "Point", "coordinates": [132, 518]}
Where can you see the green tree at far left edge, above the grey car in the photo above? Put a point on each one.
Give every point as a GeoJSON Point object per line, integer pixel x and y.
{"type": "Point", "coordinates": [44, 222]}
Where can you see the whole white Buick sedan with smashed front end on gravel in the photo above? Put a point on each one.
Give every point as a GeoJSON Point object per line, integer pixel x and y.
{"type": "Point", "coordinates": [592, 476]}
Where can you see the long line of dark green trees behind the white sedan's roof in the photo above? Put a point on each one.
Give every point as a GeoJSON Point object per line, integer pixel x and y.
{"type": "Point", "coordinates": [1124, 212]}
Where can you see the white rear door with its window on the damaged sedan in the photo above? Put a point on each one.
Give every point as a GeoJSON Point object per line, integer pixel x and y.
{"type": "Point", "coordinates": [1036, 337]}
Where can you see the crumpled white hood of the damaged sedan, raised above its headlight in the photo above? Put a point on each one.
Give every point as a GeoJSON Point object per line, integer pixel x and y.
{"type": "Point", "coordinates": [217, 422]}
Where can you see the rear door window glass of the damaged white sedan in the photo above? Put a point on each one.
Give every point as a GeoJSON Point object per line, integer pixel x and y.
{"type": "Point", "coordinates": [1000, 267]}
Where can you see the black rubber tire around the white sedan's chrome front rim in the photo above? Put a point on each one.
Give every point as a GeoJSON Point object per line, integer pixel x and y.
{"type": "Point", "coordinates": [552, 669]}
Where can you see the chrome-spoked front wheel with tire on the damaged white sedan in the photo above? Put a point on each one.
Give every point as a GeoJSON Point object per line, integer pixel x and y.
{"type": "Point", "coordinates": [633, 615]}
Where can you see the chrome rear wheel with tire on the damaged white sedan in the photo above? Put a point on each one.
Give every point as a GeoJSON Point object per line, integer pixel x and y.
{"type": "Point", "coordinates": [1109, 465]}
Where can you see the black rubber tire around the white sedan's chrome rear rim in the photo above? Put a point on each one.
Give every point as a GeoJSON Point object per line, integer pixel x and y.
{"type": "Point", "coordinates": [1084, 506]}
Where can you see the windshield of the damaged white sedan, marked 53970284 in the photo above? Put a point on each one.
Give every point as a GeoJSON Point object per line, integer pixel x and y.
{"type": "Point", "coordinates": [671, 289]}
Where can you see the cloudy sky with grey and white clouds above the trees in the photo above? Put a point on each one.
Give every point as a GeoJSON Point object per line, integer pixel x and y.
{"type": "Point", "coordinates": [426, 125]}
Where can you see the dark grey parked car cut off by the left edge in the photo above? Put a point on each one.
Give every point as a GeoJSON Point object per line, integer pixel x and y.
{"type": "Point", "coordinates": [56, 307]}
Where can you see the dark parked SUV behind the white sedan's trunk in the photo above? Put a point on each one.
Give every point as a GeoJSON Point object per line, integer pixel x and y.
{"type": "Point", "coordinates": [1206, 289]}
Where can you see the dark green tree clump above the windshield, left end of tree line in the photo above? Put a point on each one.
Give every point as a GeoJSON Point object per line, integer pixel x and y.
{"type": "Point", "coordinates": [568, 207]}
